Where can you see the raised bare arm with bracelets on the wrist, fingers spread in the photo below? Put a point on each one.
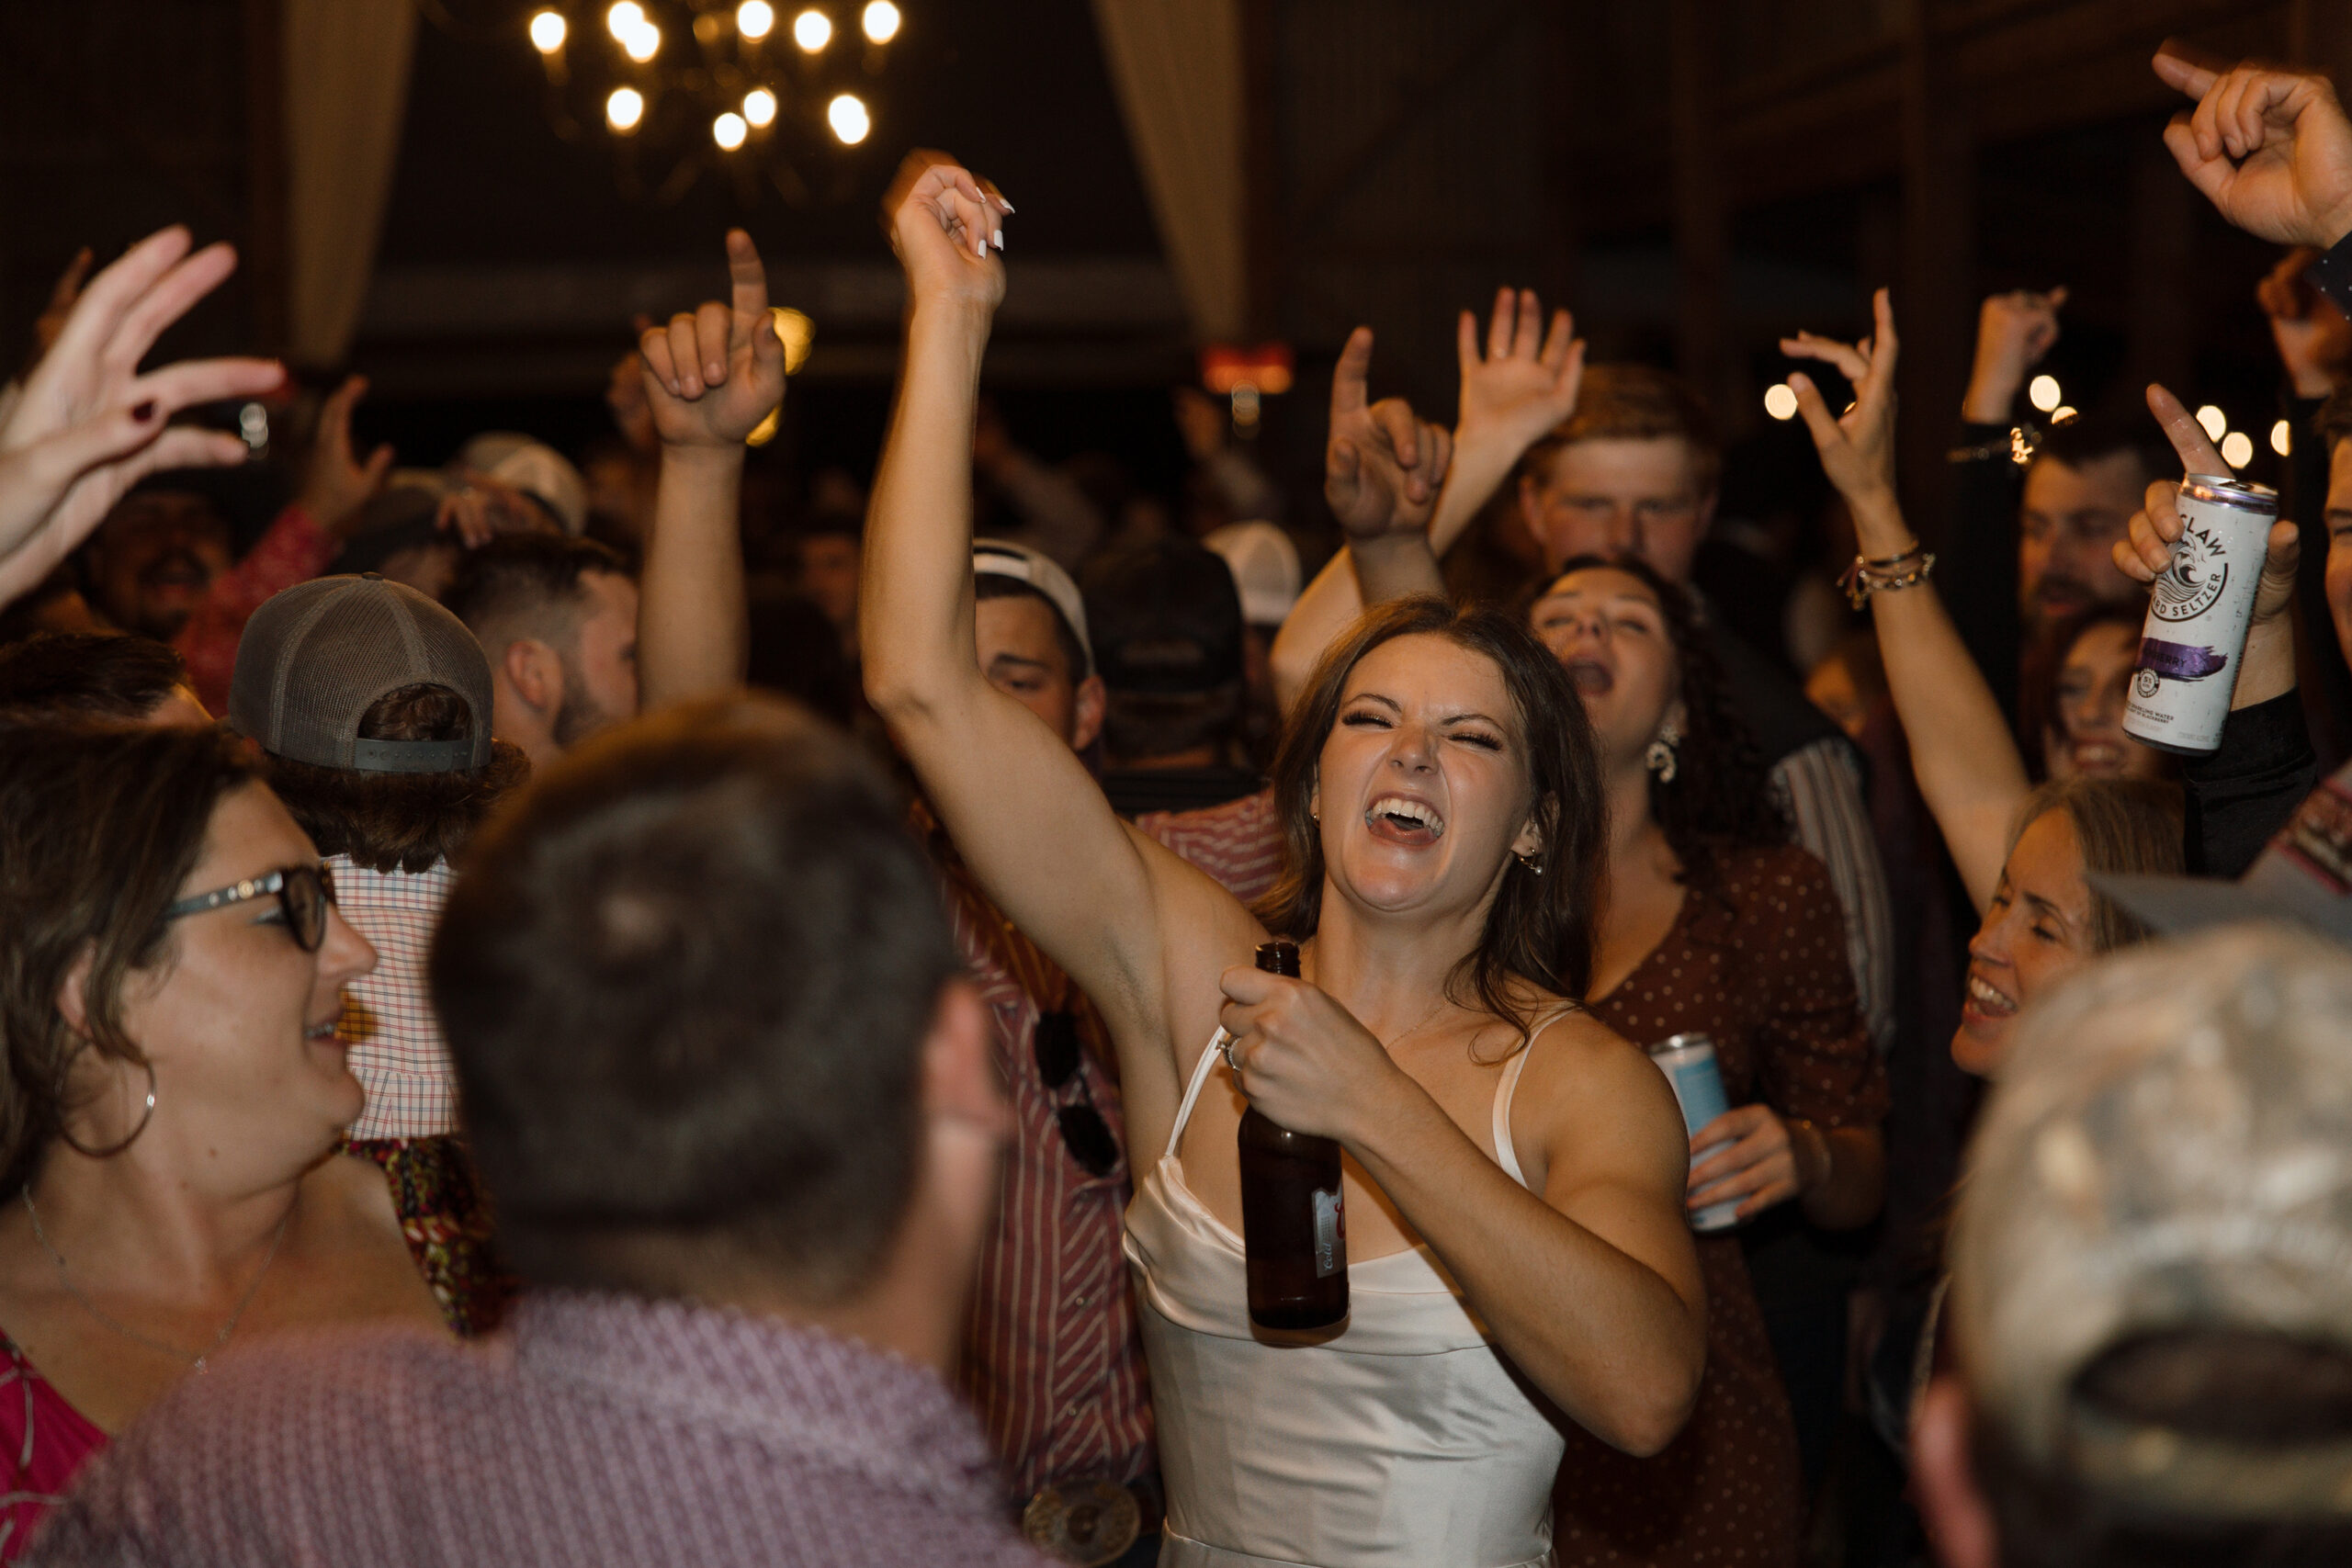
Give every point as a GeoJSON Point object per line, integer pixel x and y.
{"type": "Point", "coordinates": [1963, 753]}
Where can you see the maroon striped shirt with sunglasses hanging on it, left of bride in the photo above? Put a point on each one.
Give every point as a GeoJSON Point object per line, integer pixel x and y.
{"type": "Point", "coordinates": [1053, 1355]}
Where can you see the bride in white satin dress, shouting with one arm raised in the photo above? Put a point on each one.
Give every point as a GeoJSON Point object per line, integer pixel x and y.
{"type": "Point", "coordinates": [1514, 1172]}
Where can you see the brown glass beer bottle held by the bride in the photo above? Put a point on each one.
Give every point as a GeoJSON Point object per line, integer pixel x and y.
{"type": "Point", "coordinates": [1292, 1224]}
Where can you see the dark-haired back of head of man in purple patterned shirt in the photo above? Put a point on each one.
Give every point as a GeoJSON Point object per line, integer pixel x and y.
{"type": "Point", "coordinates": [686, 986]}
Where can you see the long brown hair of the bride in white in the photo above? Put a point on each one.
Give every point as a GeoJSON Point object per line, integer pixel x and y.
{"type": "Point", "coordinates": [1542, 923]}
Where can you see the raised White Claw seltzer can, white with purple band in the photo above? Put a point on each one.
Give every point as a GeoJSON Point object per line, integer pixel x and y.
{"type": "Point", "coordinates": [2198, 615]}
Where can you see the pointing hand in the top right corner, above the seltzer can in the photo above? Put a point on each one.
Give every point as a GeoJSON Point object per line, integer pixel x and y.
{"type": "Point", "coordinates": [2271, 149]}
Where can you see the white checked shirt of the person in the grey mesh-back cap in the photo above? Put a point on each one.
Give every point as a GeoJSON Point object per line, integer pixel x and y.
{"type": "Point", "coordinates": [396, 1047]}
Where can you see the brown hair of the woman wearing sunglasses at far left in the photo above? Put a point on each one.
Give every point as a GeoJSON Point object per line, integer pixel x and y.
{"type": "Point", "coordinates": [98, 831]}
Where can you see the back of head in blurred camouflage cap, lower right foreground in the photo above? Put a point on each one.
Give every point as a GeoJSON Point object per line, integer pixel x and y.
{"type": "Point", "coordinates": [2153, 1264]}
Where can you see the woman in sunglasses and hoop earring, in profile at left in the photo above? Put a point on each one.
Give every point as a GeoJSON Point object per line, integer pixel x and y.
{"type": "Point", "coordinates": [175, 1097]}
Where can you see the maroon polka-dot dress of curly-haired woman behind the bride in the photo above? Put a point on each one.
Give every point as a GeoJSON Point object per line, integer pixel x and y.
{"type": "Point", "coordinates": [1760, 967]}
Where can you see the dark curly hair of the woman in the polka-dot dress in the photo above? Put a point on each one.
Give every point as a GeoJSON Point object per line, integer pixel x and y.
{"type": "Point", "coordinates": [1723, 793]}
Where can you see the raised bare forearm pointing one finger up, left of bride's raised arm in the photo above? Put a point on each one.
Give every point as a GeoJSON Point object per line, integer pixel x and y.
{"type": "Point", "coordinates": [709, 380]}
